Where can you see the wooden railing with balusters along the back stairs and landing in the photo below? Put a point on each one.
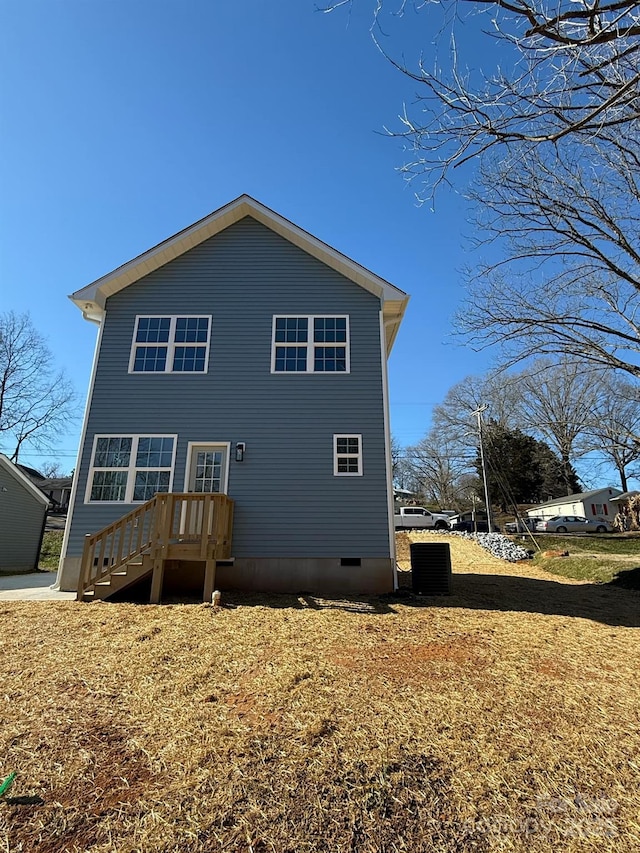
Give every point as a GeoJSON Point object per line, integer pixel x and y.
{"type": "Point", "coordinates": [205, 518]}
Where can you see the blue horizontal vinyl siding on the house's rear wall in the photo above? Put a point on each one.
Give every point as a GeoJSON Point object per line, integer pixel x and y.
{"type": "Point", "coordinates": [288, 503]}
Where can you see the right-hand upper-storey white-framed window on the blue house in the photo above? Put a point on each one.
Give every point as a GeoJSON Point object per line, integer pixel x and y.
{"type": "Point", "coordinates": [310, 344]}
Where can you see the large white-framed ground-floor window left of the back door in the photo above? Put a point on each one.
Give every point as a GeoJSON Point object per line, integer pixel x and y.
{"type": "Point", "coordinates": [130, 468]}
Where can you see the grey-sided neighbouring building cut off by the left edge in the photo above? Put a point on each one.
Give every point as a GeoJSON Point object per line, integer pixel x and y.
{"type": "Point", "coordinates": [23, 510]}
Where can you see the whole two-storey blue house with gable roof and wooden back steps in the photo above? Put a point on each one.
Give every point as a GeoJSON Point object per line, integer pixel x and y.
{"type": "Point", "coordinates": [241, 368]}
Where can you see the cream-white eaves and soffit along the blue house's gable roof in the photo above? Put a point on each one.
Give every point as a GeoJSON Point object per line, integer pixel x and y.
{"type": "Point", "coordinates": [92, 299]}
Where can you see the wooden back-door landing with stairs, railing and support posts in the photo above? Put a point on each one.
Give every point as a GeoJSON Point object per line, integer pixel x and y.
{"type": "Point", "coordinates": [175, 526]}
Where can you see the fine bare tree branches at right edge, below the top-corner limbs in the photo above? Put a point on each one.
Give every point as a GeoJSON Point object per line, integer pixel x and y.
{"type": "Point", "coordinates": [564, 225]}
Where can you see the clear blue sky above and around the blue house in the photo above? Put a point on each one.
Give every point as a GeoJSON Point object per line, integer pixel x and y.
{"type": "Point", "coordinates": [124, 121]}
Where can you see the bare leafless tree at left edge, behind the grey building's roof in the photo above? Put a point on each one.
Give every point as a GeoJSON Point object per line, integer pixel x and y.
{"type": "Point", "coordinates": [36, 402]}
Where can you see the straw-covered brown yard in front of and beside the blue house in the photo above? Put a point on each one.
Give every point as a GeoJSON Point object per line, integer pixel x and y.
{"type": "Point", "coordinates": [503, 718]}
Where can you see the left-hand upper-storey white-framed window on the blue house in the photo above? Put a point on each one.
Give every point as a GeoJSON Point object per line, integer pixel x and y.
{"type": "Point", "coordinates": [170, 345]}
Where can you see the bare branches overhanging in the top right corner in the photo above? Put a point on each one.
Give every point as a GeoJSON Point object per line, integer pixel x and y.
{"type": "Point", "coordinates": [558, 70]}
